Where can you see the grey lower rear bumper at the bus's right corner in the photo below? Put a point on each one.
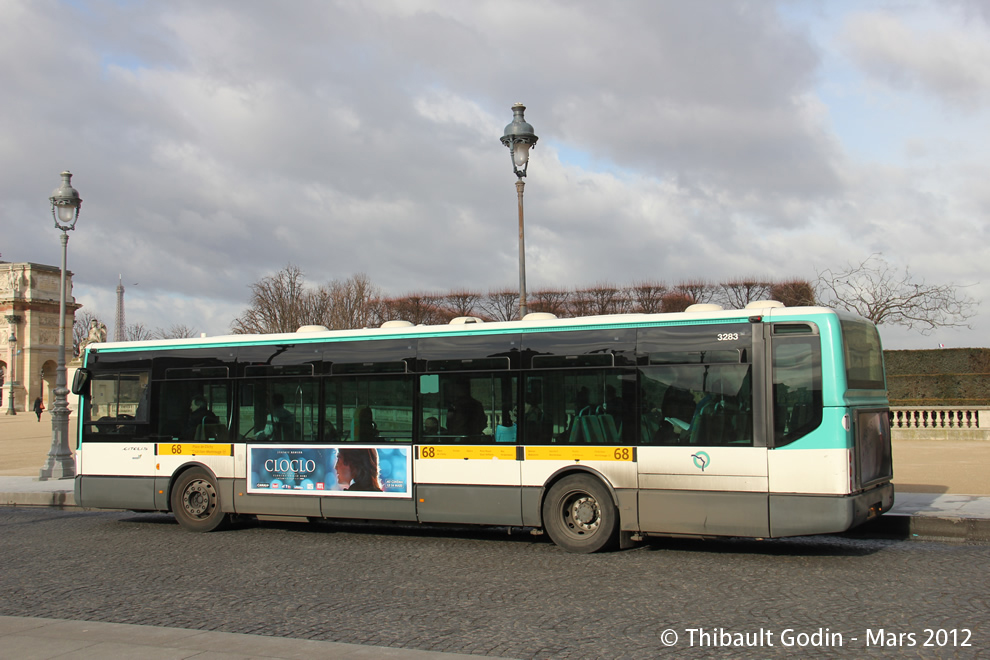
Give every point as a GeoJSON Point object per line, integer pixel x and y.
{"type": "Point", "coordinates": [799, 515]}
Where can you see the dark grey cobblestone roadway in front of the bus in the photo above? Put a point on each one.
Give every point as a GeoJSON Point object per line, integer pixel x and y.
{"type": "Point", "coordinates": [489, 593]}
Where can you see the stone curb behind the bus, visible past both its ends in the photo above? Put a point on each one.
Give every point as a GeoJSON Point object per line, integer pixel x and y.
{"type": "Point", "coordinates": [888, 526]}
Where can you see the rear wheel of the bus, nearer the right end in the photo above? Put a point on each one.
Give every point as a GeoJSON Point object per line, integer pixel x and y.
{"type": "Point", "coordinates": [580, 516]}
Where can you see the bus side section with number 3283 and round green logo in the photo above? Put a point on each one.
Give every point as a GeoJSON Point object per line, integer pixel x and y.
{"type": "Point", "coordinates": [703, 458]}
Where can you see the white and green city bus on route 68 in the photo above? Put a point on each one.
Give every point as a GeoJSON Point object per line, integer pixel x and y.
{"type": "Point", "coordinates": [600, 431]}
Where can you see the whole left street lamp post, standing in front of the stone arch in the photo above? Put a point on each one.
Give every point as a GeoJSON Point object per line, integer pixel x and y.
{"type": "Point", "coordinates": [65, 210]}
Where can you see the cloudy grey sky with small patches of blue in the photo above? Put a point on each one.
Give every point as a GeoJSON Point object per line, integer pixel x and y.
{"type": "Point", "coordinates": [214, 143]}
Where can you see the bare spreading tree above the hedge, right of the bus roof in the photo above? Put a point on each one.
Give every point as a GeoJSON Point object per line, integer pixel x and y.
{"type": "Point", "coordinates": [877, 290]}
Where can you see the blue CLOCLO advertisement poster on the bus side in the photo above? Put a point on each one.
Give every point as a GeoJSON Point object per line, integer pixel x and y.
{"type": "Point", "coordinates": [338, 470]}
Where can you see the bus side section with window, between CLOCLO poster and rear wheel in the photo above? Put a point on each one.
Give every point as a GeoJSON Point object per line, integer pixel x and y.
{"type": "Point", "coordinates": [467, 462]}
